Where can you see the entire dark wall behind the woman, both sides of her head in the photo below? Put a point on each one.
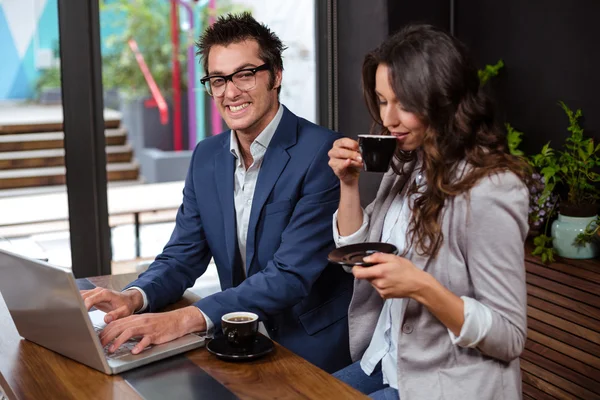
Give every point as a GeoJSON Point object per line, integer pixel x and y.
{"type": "Point", "coordinates": [551, 50]}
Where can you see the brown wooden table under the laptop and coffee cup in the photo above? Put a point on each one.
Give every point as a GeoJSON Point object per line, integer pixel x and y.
{"type": "Point", "coordinates": [29, 371]}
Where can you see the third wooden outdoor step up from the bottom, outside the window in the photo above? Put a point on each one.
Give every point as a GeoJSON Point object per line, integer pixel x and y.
{"type": "Point", "coordinates": [52, 140]}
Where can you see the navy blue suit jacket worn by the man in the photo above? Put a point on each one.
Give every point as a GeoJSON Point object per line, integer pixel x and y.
{"type": "Point", "coordinates": [302, 299]}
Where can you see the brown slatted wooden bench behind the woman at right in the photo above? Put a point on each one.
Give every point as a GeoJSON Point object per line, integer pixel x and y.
{"type": "Point", "coordinates": [561, 359]}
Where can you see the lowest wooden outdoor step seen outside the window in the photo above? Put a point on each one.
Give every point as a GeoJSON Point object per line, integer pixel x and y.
{"type": "Point", "coordinates": [32, 177]}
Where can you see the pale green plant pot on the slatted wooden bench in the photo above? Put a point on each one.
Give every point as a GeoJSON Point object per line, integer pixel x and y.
{"type": "Point", "coordinates": [564, 231]}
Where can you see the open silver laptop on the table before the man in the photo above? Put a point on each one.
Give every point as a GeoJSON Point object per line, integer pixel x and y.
{"type": "Point", "coordinates": [47, 309]}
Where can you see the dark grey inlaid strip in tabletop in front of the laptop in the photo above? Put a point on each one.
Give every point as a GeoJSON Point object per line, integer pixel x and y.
{"type": "Point", "coordinates": [175, 378]}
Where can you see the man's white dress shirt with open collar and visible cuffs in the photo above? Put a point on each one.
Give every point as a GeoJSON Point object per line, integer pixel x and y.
{"type": "Point", "coordinates": [245, 183]}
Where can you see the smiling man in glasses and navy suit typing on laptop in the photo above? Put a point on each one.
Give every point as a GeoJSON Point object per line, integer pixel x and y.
{"type": "Point", "coordinates": [257, 199]}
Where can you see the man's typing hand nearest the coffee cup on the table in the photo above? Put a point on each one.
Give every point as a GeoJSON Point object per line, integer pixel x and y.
{"type": "Point", "coordinates": [152, 328]}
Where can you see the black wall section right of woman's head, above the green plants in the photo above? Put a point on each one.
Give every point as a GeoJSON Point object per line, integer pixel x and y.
{"type": "Point", "coordinates": [551, 49]}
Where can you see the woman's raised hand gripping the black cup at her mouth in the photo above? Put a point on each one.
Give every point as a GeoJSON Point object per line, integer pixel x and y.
{"type": "Point", "coordinates": [345, 160]}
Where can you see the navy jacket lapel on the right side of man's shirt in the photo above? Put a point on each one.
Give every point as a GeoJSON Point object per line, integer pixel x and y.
{"type": "Point", "coordinates": [273, 164]}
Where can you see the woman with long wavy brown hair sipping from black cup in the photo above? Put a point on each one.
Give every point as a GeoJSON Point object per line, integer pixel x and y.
{"type": "Point", "coordinates": [446, 318]}
